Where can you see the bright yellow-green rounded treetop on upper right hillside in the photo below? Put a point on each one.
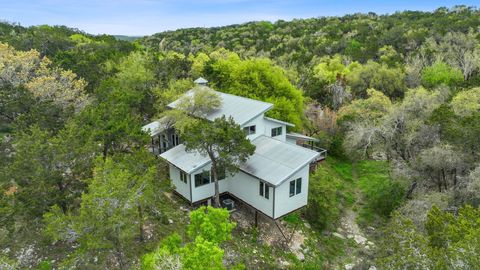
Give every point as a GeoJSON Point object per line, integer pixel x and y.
{"type": "Point", "coordinates": [441, 73]}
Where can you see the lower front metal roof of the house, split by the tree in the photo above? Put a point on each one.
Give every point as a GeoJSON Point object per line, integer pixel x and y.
{"type": "Point", "coordinates": [274, 161]}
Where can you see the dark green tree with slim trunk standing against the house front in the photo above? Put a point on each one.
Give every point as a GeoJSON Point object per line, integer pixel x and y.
{"type": "Point", "coordinates": [223, 141]}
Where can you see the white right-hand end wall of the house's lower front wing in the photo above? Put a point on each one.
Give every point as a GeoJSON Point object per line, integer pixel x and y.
{"type": "Point", "coordinates": [283, 202]}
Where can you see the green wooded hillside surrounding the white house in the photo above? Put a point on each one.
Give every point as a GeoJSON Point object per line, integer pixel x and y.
{"type": "Point", "coordinates": [393, 98]}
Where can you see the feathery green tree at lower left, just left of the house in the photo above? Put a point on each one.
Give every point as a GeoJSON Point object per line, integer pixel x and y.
{"type": "Point", "coordinates": [111, 214]}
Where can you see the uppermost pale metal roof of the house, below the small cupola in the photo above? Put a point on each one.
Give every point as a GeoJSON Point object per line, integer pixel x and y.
{"type": "Point", "coordinates": [240, 108]}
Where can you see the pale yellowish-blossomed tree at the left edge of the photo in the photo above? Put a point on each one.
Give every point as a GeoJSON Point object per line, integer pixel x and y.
{"type": "Point", "coordinates": [33, 91]}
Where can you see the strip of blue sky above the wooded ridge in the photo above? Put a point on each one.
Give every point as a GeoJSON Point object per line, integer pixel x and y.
{"type": "Point", "coordinates": [143, 17]}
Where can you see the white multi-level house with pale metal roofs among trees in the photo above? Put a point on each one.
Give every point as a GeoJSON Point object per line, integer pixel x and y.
{"type": "Point", "coordinates": [275, 178]}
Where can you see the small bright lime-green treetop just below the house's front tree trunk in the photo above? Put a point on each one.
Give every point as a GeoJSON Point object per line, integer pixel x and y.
{"type": "Point", "coordinates": [211, 224]}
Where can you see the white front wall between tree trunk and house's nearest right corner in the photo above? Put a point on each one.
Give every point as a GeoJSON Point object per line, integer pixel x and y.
{"type": "Point", "coordinates": [247, 188]}
